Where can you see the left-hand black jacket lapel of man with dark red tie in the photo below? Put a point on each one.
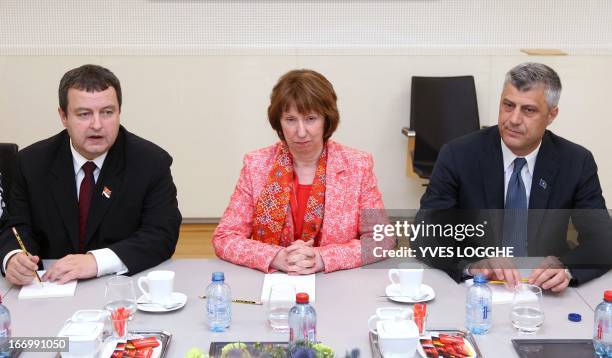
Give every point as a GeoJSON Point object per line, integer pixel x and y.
{"type": "Point", "coordinates": [64, 192]}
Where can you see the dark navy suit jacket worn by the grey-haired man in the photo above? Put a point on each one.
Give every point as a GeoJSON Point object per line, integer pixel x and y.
{"type": "Point", "coordinates": [469, 175]}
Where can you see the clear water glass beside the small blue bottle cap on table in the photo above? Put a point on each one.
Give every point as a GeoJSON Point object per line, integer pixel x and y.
{"type": "Point", "coordinates": [527, 315]}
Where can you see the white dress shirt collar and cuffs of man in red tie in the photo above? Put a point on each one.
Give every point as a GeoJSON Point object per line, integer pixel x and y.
{"type": "Point", "coordinates": [107, 261]}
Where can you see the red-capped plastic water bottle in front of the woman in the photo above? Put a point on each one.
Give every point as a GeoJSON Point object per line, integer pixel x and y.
{"type": "Point", "coordinates": [302, 320]}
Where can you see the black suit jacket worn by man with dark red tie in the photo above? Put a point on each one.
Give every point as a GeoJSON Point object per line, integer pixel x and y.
{"type": "Point", "coordinates": [139, 222]}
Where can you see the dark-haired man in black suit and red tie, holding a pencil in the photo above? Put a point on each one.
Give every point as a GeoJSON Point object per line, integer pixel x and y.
{"type": "Point", "coordinates": [96, 197]}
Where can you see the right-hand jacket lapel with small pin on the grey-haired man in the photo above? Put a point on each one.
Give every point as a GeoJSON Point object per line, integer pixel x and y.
{"type": "Point", "coordinates": [544, 175]}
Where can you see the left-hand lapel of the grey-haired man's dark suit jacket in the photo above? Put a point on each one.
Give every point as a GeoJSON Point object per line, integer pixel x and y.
{"type": "Point", "coordinates": [492, 169]}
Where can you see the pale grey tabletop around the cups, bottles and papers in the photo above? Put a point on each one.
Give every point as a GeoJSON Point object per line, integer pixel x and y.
{"type": "Point", "coordinates": [345, 301]}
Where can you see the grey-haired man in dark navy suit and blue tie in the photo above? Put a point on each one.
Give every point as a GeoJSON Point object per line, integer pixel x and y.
{"type": "Point", "coordinates": [519, 165]}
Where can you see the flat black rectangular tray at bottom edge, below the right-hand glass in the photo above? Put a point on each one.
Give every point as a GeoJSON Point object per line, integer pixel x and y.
{"type": "Point", "coordinates": [557, 348]}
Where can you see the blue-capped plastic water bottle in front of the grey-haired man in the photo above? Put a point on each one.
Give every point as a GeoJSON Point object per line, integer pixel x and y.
{"type": "Point", "coordinates": [478, 304]}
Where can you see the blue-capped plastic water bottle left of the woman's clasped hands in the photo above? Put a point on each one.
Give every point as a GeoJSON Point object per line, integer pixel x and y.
{"type": "Point", "coordinates": [218, 303]}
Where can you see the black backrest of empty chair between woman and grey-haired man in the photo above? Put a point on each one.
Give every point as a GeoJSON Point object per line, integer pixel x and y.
{"type": "Point", "coordinates": [441, 109]}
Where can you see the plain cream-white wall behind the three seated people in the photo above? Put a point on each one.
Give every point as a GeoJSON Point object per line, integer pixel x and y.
{"type": "Point", "coordinates": [208, 111]}
